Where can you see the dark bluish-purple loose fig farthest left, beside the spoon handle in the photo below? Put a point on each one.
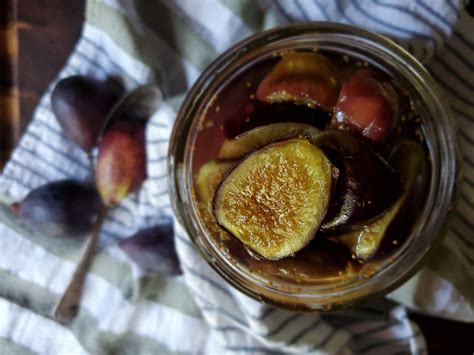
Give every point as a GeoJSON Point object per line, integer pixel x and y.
{"type": "Point", "coordinates": [61, 208]}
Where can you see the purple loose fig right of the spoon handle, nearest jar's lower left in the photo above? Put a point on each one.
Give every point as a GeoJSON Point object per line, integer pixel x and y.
{"type": "Point", "coordinates": [153, 250]}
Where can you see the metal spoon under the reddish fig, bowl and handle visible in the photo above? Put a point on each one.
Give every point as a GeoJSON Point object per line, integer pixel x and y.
{"type": "Point", "coordinates": [139, 104]}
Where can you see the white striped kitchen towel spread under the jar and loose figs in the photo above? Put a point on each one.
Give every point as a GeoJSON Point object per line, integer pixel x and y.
{"type": "Point", "coordinates": [127, 310]}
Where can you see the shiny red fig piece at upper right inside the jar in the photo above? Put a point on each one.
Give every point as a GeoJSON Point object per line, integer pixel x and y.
{"type": "Point", "coordinates": [368, 104]}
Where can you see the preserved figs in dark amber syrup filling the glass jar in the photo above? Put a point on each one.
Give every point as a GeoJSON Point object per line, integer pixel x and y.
{"type": "Point", "coordinates": [298, 184]}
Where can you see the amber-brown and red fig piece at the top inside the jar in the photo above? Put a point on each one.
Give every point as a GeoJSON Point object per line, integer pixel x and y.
{"type": "Point", "coordinates": [306, 78]}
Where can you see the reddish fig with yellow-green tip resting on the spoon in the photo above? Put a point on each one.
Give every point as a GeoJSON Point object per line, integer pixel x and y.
{"type": "Point", "coordinates": [121, 162]}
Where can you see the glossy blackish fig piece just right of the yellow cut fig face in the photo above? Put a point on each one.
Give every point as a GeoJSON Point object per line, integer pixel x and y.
{"type": "Point", "coordinates": [366, 186]}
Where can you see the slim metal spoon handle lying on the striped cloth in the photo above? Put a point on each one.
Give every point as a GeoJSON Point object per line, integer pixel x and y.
{"type": "Point", "coordinates": [68, 306]}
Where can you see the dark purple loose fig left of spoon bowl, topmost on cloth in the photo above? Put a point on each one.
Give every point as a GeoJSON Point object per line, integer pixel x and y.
{"type": "Point", "coordinates": [81, 105]}
